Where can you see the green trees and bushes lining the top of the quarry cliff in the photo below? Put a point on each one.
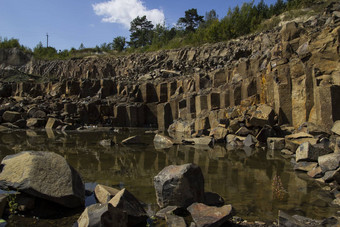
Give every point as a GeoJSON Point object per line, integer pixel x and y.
{"type": "Point", "coordinates": [191, 29]}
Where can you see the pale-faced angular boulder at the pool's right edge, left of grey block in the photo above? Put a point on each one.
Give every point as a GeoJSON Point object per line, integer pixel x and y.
{"type": "Point", "coordinates": [307, 152]}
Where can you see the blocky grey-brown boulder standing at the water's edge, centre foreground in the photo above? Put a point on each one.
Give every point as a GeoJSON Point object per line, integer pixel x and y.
{"type": "Point", "coordinates": [179, 185]}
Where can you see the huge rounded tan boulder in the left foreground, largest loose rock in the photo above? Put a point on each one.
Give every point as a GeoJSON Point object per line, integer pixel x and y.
{"type": "Point", "coordinates": [45, 175]}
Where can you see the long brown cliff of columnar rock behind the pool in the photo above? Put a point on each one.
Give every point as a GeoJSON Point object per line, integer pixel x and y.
{"type": "Point", "coordinates": [293, 68]}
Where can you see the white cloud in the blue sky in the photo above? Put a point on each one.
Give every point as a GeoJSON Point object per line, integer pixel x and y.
{"type": "Point", "coordinates": [124, 11]}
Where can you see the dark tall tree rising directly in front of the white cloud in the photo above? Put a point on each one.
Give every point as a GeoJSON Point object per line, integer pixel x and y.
{"type": "Point", "coordinates": [141, 32]}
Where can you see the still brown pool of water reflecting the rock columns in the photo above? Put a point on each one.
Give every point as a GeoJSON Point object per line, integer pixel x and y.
{"type": "Point", "coordinates": [256, 182]}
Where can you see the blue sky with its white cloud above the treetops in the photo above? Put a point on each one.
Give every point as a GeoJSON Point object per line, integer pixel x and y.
{"type": "Point", "coordinates": [69, 23]}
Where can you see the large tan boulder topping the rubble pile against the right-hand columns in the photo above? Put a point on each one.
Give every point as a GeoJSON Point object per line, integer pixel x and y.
{"type": "Point", "coordinates": [264, 115]}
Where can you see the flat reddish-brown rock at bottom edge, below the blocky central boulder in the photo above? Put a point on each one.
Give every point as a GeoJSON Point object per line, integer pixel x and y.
{"type": "Point", "coordinates": [204, 215]}
